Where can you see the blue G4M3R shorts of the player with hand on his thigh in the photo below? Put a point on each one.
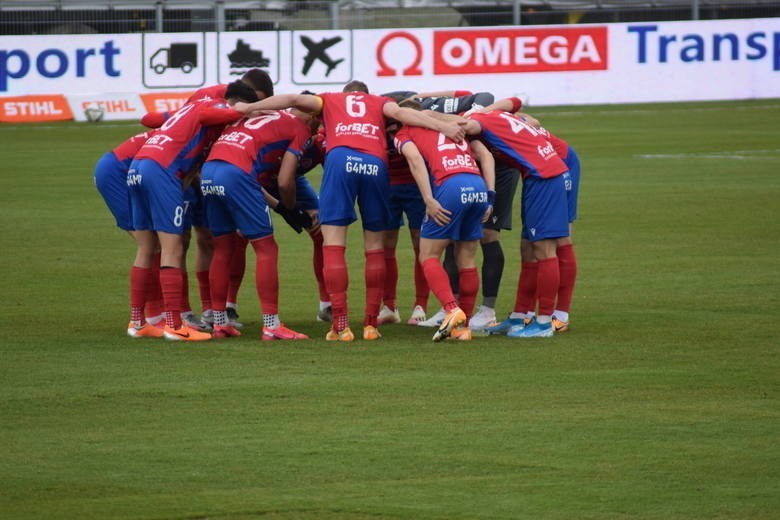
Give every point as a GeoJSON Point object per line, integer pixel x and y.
{"type": "Point", "coordinates": [465, 195]}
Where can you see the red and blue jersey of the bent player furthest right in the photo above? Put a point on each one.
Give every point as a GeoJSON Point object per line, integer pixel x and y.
{"type": "Point", "coordinates": [519, 144]}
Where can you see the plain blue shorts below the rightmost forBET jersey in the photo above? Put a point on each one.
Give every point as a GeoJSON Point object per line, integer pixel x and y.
{"type": "Point", "coordinates": [545, 210]}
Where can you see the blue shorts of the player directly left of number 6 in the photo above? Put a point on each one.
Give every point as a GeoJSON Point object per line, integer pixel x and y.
{"type": "Point", "coordinates": [234, 201]}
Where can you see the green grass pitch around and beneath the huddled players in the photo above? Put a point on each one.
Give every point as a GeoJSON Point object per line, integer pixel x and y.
{"type": "Point", "coordinates": [660, 403]}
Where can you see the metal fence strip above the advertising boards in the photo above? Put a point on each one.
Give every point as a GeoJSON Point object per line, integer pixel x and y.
{"type": "Point", "coordinates": [118, 16]}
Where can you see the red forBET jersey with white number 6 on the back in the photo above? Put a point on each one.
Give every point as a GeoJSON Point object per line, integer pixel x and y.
{"type": "Point", "coordinates": [355, 120]}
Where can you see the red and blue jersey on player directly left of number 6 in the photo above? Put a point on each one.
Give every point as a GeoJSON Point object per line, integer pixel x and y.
{"type": "Point", "coordinates": [257, 144]}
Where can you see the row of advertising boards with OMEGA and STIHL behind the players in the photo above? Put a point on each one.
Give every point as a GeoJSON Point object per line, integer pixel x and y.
{"type": "Point", "coordinates": [119, 76]}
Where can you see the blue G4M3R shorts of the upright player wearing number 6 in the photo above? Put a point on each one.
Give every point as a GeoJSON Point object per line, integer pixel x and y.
{"type": "Point", "coordinates": [348, 176]}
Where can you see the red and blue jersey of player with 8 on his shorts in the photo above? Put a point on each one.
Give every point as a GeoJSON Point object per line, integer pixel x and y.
{"type": "Point", "coordinates": [184, 137]}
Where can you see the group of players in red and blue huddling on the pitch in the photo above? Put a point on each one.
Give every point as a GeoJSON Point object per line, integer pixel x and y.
{"type": "Point", "coordinates": [450, 161]}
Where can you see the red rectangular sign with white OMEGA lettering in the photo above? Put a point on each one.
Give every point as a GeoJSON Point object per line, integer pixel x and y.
{"type": "Point", "coordinates": [520, 50]}
